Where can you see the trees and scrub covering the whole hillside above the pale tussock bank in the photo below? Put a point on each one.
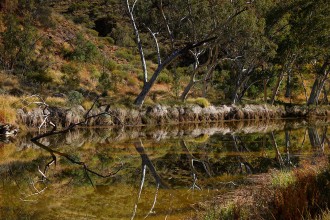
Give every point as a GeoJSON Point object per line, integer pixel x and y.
{"type": "Point", "coordinates": [265, 51]}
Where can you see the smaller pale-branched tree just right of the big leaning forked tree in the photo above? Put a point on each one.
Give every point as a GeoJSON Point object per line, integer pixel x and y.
{"type": "Point", "coordinates": [214, 19]}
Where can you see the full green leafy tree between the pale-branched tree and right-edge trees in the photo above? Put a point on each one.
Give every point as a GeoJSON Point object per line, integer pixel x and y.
{"type": "Point", "coordinates": [248, 51]}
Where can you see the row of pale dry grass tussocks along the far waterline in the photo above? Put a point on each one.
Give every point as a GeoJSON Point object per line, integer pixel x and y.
{"type": "Point", "coordinates": [160, 114]}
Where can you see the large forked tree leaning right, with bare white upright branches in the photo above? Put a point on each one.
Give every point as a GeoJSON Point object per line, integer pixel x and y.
{"type": "Point", "coordinates": [163, 20]}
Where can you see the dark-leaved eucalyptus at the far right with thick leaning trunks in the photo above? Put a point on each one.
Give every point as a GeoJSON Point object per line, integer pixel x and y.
{"type": "Point", "coordinates": [301, 30]}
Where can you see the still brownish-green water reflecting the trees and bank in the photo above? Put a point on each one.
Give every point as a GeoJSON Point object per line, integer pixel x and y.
{"type": "Point", "coordinates": [158, 173]}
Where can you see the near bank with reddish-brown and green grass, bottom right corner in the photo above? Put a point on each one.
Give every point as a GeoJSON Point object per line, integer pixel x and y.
{"type": "Point", "coordinates": [300, 193]}
